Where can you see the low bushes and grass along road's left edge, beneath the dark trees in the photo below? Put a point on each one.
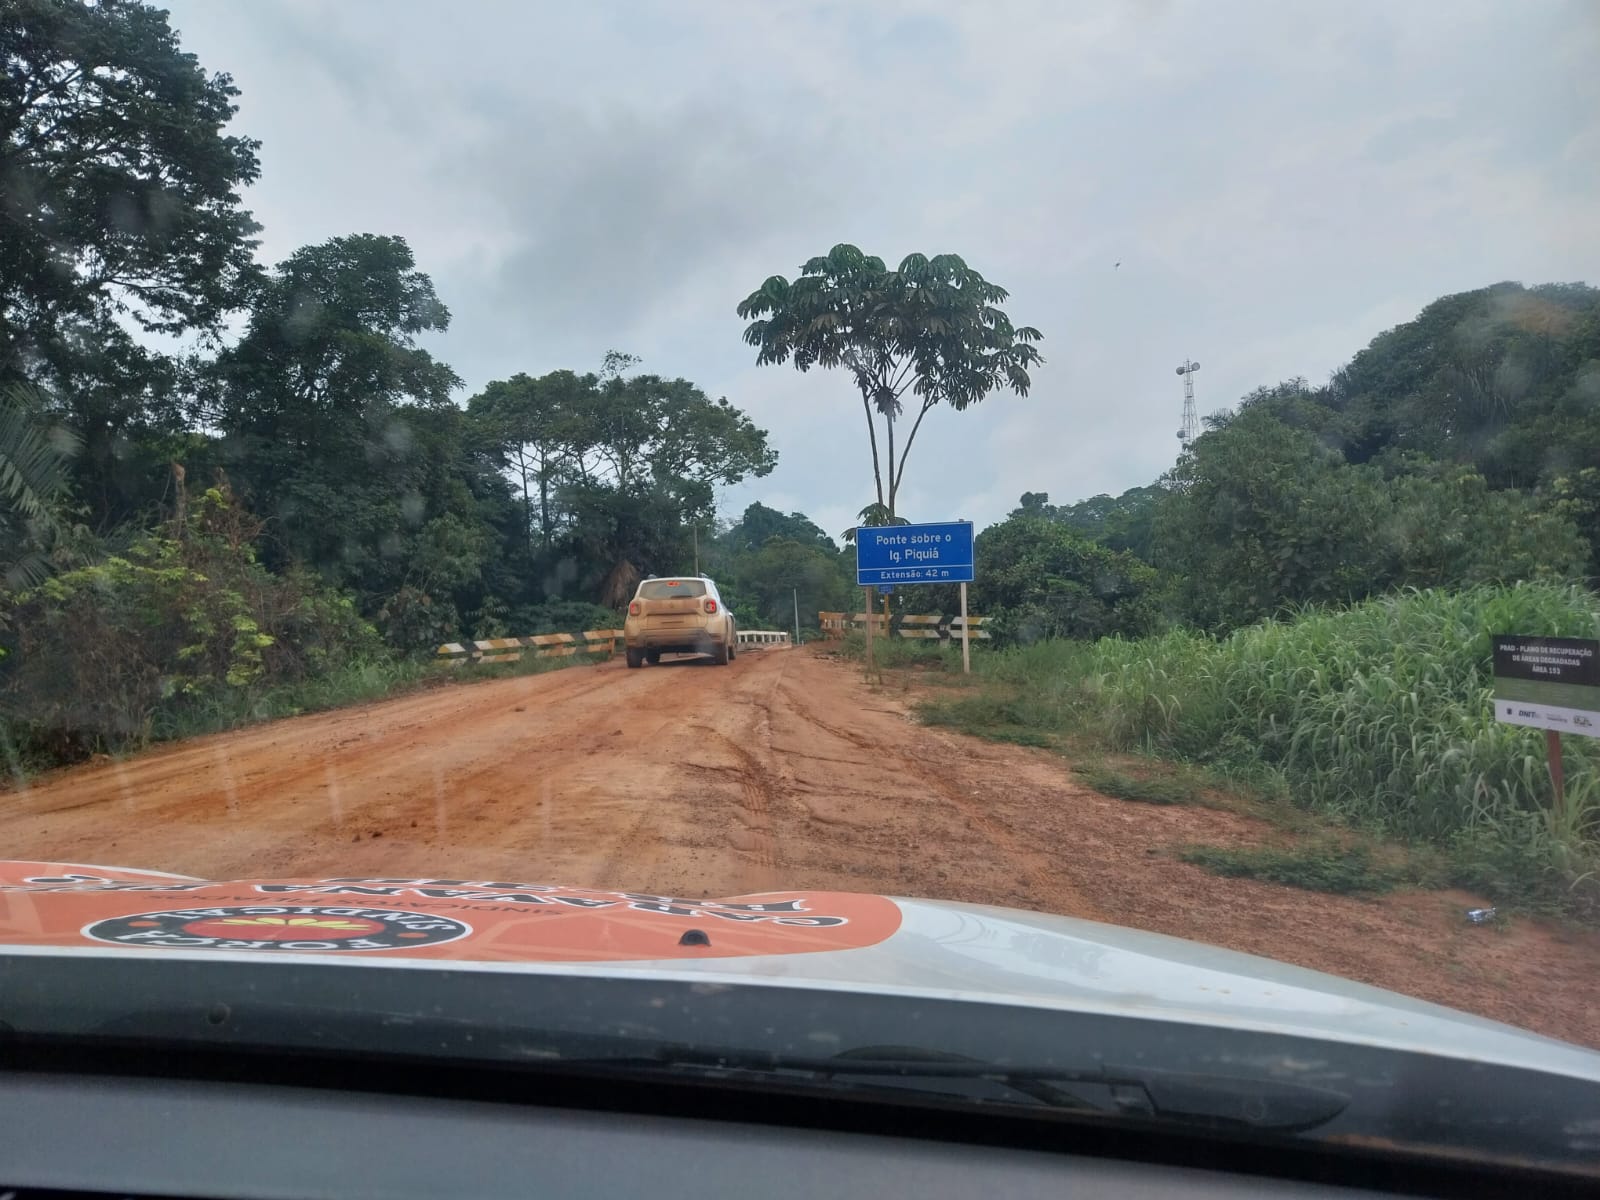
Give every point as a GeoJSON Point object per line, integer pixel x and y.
{"type": "Point", "coordinates": [183, 633]}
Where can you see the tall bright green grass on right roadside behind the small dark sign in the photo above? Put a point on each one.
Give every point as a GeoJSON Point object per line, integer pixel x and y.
{"type": "Point", "coordinates": [1377, 714]}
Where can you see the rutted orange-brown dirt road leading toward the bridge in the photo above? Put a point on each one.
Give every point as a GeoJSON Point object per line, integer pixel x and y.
{"type": "Point", "coordinates": [782, 770]}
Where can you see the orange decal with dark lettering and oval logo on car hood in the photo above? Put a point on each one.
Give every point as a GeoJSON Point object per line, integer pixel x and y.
{"type": "Point", "coordinates": [55, 905]}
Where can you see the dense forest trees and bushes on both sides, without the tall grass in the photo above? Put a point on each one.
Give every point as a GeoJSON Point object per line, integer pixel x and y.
{"type": "Point", "coordinates": [220, 478]}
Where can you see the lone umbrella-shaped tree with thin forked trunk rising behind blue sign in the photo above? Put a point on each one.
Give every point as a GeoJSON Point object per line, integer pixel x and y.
{"type": "Point", "coordinates": [929, 329]}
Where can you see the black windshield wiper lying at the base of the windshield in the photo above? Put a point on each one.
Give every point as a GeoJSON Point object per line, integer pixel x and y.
{"type": "Point", "coordinates": [1226, 1102]}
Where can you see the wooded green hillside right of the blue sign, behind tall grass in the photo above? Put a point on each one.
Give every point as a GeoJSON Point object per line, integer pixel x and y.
{"type": "Point", "coordinates": [1462, 447]}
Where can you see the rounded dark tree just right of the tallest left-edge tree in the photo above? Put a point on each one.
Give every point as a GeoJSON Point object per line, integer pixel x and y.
{"type": "Point", "coordinates": [338, 428]}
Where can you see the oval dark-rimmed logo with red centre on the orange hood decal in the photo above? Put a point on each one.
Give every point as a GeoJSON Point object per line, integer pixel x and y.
{"type": "Point", "coordinates": [273, 927]}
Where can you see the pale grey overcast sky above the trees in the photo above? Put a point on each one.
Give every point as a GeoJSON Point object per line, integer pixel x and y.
{"type": "Point", "coordinates": [1281, 182]}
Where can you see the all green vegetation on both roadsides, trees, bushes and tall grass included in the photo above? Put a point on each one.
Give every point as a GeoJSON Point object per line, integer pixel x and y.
{"type": "Point", "coordinates": [300, 511]}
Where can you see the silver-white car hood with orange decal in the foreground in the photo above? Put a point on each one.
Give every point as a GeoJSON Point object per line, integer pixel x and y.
{"type": "Point", "coordinates": [842, 942]}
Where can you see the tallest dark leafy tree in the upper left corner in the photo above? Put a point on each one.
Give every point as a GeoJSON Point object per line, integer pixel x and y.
{"type": "Point", "coordinates": [119, 209]}
